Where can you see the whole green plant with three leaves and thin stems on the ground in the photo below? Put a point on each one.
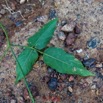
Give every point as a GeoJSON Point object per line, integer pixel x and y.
{"type": "Point", "coordinates": [52, 56]}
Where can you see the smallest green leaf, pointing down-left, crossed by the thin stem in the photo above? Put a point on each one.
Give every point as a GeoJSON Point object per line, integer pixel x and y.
{"type": "Point", "coordinates": [26, 59]}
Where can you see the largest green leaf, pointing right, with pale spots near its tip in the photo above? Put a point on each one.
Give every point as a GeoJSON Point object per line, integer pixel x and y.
{"type": "Point", "coordinates": [63, 62]}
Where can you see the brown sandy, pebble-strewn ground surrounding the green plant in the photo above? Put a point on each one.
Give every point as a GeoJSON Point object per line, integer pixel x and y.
{"type": "Point", "coordinates": [87, 14]}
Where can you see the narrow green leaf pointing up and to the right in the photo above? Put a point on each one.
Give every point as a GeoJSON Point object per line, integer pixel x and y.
{"type": "Point", "coordinates": [43, 36]}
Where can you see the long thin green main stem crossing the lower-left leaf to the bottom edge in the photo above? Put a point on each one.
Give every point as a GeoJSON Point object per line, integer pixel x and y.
{"type": "Point", "coordinates": [9, 46]}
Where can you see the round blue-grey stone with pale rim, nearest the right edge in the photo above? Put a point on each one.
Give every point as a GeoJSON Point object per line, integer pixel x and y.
{"type": "Point", "coordinates": [93, 42]}
